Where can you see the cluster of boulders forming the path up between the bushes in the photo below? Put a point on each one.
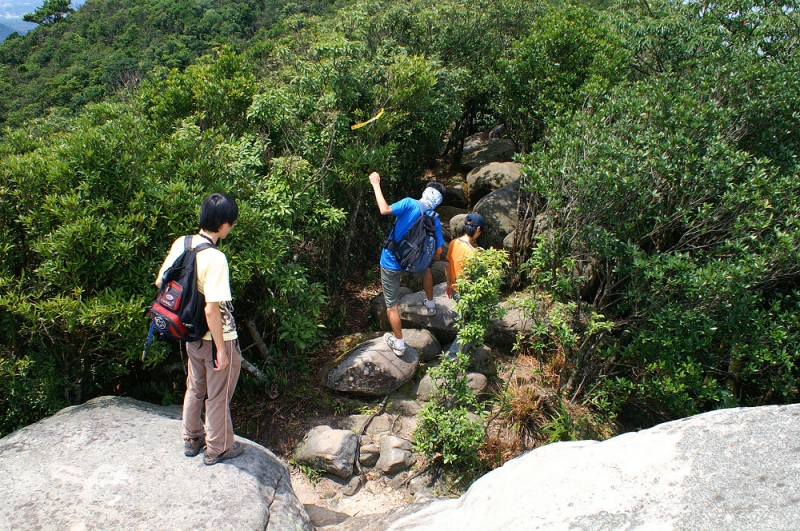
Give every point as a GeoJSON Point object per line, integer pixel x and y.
{"type": "Point", "coordinates": [379, 446]}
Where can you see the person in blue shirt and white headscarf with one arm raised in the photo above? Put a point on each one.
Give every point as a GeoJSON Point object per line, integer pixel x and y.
{"type": "Point", "coordinates": [406, 211]}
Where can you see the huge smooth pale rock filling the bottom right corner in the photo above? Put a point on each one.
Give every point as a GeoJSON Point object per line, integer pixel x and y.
{"type": "Point", "coordinates": [727, 470]}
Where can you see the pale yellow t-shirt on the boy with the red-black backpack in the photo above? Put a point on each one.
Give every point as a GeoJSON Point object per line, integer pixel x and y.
{"type": "Point", "coordinates": [213, 281]}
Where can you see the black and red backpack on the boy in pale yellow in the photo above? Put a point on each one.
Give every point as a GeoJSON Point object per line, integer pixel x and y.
{"type": "Point", "coordinates": [178, 312]}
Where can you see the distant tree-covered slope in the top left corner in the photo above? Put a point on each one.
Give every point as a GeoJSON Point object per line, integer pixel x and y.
{"type": "Point", "coordinates": [108, 47]}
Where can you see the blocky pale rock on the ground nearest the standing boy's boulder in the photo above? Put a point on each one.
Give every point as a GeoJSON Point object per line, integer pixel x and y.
{"type": "Point", "coordinates": [328, 450]}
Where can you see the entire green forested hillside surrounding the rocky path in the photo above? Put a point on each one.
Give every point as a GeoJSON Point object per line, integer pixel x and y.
{"type": "Point", "coordinates": [658, 240]}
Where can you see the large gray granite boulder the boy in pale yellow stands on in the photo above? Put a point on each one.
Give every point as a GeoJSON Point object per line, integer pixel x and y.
{"type": "Point", "coordinates": [116, 463]}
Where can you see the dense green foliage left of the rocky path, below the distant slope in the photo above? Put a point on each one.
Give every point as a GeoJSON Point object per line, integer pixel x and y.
{"type": "Point", "coordinates": [91, 202]}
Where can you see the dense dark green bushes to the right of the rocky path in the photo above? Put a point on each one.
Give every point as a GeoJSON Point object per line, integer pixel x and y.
{"type": "Point", "coordinates": [675, 194]}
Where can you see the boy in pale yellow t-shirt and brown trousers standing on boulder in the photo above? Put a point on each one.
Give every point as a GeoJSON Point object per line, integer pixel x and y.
{"type": "Point", "coordinates": [215, 360]}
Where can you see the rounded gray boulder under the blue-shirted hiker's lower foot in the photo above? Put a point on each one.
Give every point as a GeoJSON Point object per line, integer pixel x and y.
{"type": "Point", "coordinates": [372, 369]}
